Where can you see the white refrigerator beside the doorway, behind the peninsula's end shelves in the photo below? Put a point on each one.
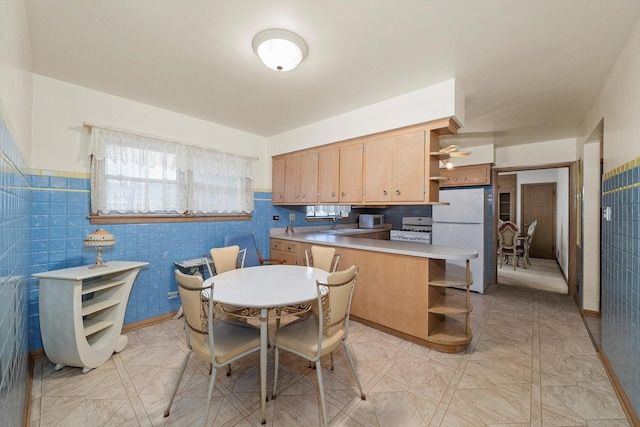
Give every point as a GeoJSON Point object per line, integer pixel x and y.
{"type": "Point", "coordinates": [464, 223]}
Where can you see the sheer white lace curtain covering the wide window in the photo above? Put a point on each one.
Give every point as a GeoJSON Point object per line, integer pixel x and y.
{"type": "Point", "coordinates": [135, 174]}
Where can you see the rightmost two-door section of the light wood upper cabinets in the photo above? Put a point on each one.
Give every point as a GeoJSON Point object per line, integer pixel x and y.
{"type": "Point", "coordinates": [395, 168]}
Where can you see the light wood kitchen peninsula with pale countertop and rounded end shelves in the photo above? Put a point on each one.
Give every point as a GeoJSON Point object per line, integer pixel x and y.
{"type": "Point", "coordinates": [403, 288]}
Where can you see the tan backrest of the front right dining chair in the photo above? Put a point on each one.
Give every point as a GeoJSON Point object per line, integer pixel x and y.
{"type": "Point", "coordinates": [334, 300]}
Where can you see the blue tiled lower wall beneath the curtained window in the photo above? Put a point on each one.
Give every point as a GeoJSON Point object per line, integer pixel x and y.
{"type": "Point", "coordinates": [59, 222]}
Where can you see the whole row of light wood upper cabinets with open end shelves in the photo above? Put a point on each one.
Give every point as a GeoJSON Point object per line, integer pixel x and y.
{"type": "Point", "coordinates": [400, 166]}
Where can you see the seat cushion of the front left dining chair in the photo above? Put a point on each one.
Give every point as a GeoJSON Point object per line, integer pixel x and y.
{"type": "Point", "coordinates": [232, 337]}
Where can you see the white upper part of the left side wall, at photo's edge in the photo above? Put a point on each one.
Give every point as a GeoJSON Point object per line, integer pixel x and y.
{"type": "Point", "coordinates": [16, 80]}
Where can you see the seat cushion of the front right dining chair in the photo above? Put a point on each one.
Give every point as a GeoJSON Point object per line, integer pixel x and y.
{"type": "Point", "coordinates": [302, 337]}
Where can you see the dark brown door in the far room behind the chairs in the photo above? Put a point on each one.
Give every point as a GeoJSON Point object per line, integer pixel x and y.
{"type": "Point", "coordinates": [539, 204]}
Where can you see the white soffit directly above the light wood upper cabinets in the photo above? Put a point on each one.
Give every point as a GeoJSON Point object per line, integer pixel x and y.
{"type": "Point", "coordinates": [435, 102]}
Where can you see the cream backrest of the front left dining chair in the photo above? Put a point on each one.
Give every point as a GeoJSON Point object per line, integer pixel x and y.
{"type": "Point", "coordinates": [196, 313]}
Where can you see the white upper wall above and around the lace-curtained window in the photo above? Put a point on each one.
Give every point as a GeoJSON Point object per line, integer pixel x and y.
{"type": "Point", "coordinates": [60, 142]}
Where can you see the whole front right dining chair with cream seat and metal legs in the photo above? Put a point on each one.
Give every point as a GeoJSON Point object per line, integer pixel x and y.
{"type": "Point", "coordinates": [321, 333]}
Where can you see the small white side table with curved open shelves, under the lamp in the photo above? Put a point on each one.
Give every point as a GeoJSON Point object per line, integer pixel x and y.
{"type": "Point", "coordinates": [82, 311]}
